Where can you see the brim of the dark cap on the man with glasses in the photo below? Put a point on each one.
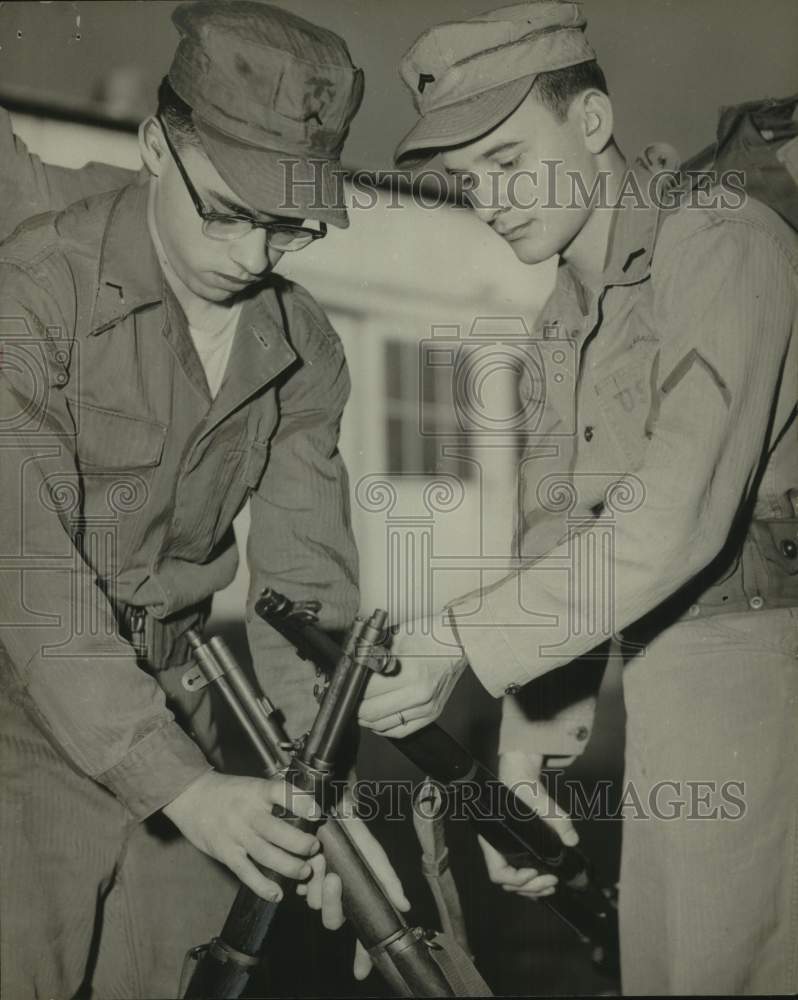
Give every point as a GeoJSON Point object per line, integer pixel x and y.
{"type": "Point", "coordinates": [278, 183]}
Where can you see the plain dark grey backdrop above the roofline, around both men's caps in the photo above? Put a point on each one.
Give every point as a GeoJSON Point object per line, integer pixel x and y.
{"type": "Point", "coordinates": [670, 63]}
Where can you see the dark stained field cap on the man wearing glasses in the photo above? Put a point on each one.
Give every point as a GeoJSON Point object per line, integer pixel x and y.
{"type": "Point", "coordinates": [266, 86]}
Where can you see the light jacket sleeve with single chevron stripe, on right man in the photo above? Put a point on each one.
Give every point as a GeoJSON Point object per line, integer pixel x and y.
{"type": "Point", "coordinates": [724, 307]}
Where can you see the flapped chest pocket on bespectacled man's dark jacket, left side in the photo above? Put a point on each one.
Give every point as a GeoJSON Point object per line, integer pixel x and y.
{"type": "Point", "coordinates": [106, 439]}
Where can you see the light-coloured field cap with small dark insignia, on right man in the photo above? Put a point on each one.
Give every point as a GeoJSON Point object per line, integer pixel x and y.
{"type": "Point", "coordinates": [468, 76]}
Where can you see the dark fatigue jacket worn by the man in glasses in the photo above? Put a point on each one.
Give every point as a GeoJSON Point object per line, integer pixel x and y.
{"type": "Point", "coordinates": [121, 478]}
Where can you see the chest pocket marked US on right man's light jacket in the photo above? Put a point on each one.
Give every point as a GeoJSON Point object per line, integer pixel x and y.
{"type": "Point", "coordinates": [625, 400]}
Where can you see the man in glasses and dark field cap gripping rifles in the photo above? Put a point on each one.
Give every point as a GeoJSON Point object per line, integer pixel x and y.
{"type": "Point", "coordinates": [160, 373]}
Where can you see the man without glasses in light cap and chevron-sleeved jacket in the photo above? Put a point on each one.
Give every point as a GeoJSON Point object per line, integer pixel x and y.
{"type": "Point", "coordinates": [678, 450]}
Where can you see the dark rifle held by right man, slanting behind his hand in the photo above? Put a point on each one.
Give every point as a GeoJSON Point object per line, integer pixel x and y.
{"type": "Point", "coordinates": [506, 822]}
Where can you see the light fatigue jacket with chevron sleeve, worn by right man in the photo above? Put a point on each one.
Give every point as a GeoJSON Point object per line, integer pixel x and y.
{"type": "Point", "coordinates": [674, 428]}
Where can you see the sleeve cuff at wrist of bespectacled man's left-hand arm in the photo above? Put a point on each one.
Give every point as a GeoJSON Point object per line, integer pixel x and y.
{"type": "Point", "coordinates": [155, 770]}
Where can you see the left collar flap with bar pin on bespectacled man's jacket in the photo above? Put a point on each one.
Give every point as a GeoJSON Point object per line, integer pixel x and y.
{"type": "Point", "coordinates": [129, 276]}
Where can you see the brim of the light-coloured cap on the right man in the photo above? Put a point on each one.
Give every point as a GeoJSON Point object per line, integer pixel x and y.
{"type": "Point", "coordinates": [460, 123]}
